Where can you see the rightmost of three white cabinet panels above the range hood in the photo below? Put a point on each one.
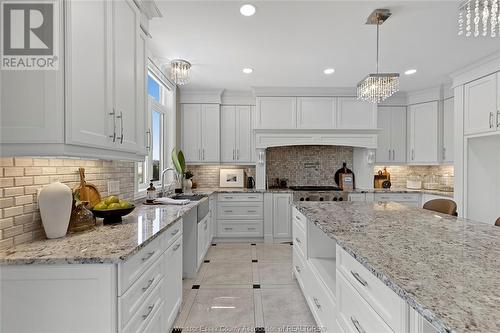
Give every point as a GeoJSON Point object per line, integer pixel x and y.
{"type": "Point", "coordinates": [355, 114]}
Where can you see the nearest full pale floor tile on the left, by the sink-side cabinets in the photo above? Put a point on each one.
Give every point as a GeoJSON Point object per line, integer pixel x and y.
{"type": "Point", "coordinates": [214, 308]}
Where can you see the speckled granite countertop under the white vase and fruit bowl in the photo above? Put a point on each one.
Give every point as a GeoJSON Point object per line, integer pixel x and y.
{"type": "Point", "coordinates": [105, 244]}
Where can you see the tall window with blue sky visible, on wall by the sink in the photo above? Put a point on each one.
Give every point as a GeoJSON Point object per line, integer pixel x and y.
{"type": "Point", "coordinates": [160, 132]}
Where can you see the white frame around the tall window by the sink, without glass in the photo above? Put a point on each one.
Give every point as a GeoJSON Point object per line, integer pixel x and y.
{"type": "Point", "coordinates": [167, 108]}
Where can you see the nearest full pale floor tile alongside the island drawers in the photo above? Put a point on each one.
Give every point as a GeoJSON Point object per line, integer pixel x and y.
{"type": "Point", "coordinates": [285, 307]}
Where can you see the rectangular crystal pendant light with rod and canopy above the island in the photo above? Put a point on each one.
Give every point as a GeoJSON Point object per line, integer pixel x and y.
{"type": "Point", "coordinates": [377, 87]}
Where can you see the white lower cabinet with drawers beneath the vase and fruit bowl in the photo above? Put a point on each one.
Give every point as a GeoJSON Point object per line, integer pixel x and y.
{"type": "Point", "coordinates": [142, 294]}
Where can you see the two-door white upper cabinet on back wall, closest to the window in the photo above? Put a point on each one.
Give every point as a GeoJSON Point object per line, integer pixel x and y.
{"type": "Point", "coordinates": [201, 133]}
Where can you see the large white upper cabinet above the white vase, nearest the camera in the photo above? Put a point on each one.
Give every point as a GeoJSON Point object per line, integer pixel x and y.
{"type": "Point", "coordinates": [95, 100]}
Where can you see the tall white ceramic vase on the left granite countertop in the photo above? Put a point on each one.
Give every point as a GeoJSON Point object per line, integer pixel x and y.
{"type": "Point", "coordinates": [55, 201]}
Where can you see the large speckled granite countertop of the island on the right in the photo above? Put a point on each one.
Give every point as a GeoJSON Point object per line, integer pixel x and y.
{"type": "Point", "coordinates": [446, 268]}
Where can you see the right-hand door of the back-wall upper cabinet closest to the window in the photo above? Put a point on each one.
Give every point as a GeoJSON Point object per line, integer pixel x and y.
{"type": "Point", "coordinates": [210, 133]}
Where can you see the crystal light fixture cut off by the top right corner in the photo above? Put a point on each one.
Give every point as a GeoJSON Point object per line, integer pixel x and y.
{"type": "Point", "coordinates": [482, 18]}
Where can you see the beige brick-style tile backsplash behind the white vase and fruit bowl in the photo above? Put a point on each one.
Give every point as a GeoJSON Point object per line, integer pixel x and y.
{"type": "Point", "coordinates": [20, 178]}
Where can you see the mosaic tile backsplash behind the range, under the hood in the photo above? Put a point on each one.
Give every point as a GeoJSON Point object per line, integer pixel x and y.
{"type": "Point", "coordinates": [306, 165]}
